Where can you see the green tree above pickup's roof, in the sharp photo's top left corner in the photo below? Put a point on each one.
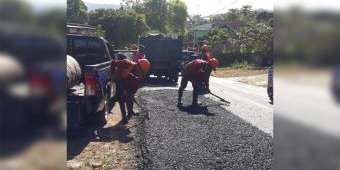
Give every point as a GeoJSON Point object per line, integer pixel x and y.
{"type": "Point", "coordinates": [76, 12]}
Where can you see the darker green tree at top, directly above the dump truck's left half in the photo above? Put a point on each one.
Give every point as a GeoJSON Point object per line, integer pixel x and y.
{"type": "Point", "coordinates": [157, 15]}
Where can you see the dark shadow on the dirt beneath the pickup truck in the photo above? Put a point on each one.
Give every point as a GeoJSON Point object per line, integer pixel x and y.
{"type": "Point", "coordinates": [78, 139]}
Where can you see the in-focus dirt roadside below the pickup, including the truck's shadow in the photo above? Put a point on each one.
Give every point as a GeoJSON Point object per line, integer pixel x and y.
{"type": "Point", "coordinates": [109, 147]}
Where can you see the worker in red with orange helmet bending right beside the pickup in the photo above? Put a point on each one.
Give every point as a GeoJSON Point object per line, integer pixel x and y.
{"type": "Point", "coordinates": [128, 76]}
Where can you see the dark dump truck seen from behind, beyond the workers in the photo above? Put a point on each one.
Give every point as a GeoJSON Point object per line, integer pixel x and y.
{"type": "Point", "coordinates": [164, 54]}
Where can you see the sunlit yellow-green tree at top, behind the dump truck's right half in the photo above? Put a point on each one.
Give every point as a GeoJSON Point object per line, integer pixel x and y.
{"type": "Point", "coordinates": [177, 16]}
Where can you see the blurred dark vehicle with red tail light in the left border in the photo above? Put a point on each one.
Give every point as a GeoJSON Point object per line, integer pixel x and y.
{"type": "Point", "coordinates": [32, 77]}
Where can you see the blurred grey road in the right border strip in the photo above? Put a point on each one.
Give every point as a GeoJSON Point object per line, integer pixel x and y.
{"type": "Point", "coordinates": [307, 126]}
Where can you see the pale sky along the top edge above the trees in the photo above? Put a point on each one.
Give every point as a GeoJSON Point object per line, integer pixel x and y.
{"type": "Point", "coordinates": [209, 7]}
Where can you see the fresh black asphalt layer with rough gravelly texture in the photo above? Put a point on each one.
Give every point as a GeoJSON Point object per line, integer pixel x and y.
{"type": "Point", "coordinates": [207, 137]}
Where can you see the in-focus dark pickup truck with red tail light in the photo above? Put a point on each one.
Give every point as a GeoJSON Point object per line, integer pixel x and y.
{"type": "Point", "coordinates": [90, 96]}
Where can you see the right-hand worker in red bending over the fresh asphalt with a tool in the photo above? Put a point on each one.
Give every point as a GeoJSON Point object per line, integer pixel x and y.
{"type": "Point", "coordinates": [197, 72]}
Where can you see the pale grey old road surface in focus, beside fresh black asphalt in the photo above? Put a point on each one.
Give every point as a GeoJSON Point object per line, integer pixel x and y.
{"type": "Point", "coordinates": [250, 103]}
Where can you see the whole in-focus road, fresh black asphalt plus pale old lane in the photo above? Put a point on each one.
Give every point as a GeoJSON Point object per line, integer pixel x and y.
{"type": "Point", "coordinates": [212, 136]}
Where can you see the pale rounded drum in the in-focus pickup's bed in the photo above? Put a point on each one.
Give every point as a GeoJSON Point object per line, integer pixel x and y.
{"type": "Point", "coordinates": [73, 72]}
